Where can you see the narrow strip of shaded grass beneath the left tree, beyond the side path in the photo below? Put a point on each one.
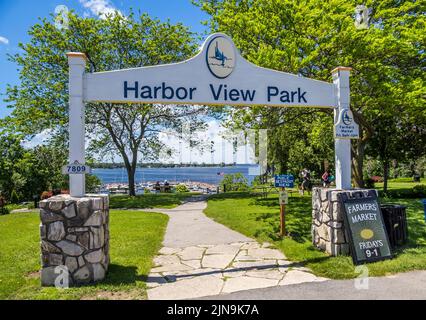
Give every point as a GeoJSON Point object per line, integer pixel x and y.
{"type": "Point", "coordinates": [150, 200]}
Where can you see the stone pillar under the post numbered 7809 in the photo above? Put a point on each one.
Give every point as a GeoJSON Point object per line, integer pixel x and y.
{"type": "Point", "coordinates": [74, 233]}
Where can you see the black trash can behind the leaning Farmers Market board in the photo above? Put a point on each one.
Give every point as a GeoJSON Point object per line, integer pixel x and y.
{"type": "Point", "coordinates": [395, 219]}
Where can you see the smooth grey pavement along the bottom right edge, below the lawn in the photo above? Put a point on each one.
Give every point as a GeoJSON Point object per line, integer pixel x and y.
{"type": "Point", "coordinates": [403, 286]}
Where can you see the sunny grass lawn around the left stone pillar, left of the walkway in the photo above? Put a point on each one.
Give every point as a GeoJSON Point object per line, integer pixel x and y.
{"type": "Point", "coordinates": [135, 239]}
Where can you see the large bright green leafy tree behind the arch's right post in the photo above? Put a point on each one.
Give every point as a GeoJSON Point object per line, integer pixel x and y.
{"type": "Point", "coordinates": [312, 37]}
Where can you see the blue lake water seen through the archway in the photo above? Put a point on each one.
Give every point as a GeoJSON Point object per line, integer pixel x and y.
{"type": "Point", "coordinates": [199, 174]}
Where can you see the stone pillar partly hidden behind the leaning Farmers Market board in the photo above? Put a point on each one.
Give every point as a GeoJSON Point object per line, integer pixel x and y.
{"type": "Point", "coordinates": [328, 226]}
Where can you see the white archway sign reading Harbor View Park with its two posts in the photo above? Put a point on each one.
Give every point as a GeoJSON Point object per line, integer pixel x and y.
{"type": "Point", "coordinates": [217, 75]}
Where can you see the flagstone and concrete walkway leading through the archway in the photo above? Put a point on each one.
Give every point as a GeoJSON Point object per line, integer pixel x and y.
{"type": "Point", "coordinates": [202, 258]}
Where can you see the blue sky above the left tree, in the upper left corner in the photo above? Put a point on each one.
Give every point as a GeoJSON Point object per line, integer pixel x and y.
{"type": "Point", "coordinates": [17, 16]}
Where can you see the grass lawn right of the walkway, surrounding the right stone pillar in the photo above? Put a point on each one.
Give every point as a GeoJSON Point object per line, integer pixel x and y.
{"type": "Point", "coordinates": [259, 218]}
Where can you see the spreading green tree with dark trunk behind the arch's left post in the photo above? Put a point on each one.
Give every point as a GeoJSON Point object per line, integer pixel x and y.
{"type": "Point", "coordinates": [41, 100]}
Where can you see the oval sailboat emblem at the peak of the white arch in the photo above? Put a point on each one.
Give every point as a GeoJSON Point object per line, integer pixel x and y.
{"type": "Point", "coordinates": [220, 57]}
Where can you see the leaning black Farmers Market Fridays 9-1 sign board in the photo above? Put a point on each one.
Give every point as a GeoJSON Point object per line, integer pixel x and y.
{"type": "Point", "coordinates": [366, 230]}
